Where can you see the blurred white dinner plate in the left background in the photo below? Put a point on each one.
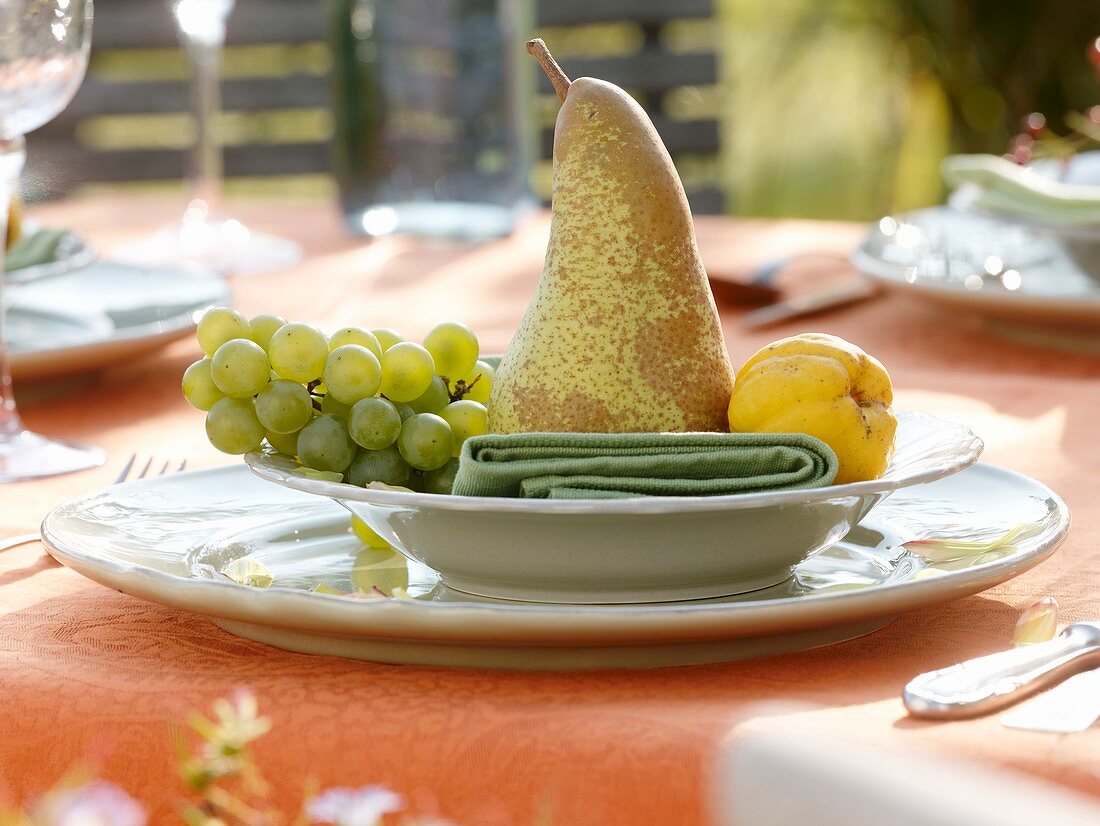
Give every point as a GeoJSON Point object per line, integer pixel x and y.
{"type": "Point", "coordinates": [105, 313]}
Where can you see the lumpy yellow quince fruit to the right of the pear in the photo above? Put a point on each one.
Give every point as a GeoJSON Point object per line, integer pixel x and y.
{"type": "Point", "coordinates": [823, 387]}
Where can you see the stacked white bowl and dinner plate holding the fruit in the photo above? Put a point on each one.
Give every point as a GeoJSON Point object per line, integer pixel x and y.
{"type": "Point", "coordinates": [521, 585]}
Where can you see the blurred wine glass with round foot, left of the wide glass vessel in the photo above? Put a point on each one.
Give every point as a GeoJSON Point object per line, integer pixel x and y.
{"type": "Point", "coordinates": [204, 235]}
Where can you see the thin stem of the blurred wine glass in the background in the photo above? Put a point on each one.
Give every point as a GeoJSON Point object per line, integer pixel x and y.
{"type": "Point", "coordinates": [206, 102]}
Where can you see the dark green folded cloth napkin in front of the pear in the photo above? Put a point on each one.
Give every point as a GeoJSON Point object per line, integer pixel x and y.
{"type": "Point", "coordinates": [620, 466]}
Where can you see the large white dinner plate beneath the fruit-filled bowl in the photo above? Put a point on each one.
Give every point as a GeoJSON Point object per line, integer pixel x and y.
{"type": "Point", "coordinates": [173, 541]}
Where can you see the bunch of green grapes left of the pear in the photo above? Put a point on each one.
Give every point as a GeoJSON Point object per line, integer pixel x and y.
{"type": "Point", "coordinates": [367, 405]}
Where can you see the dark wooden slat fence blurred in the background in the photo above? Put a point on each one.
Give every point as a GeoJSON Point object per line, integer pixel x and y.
{"type": "Point", "coordinates": [128, 124]}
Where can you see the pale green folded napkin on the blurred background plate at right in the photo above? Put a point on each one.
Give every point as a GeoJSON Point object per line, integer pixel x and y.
{"type": "Point", "coordinates": [1002, 186]}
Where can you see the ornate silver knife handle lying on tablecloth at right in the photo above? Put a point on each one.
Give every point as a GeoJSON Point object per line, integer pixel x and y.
{"type": "Point", "coordinates": [988, 684]}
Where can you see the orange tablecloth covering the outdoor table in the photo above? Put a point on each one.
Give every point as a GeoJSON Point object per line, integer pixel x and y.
{"type": "Point", "coordinates": [87, 673]}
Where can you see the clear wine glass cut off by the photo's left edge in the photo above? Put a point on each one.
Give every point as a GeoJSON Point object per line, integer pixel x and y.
{"type": "Point", "coordinates": [43, 56]}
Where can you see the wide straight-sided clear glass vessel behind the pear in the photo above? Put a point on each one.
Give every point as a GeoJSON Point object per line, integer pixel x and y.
{"type": "Point", "coordinates": [432, 135]}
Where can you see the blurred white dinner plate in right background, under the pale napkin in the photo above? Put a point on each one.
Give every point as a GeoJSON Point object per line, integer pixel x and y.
{"type": "Point", "coordinates": [1021, 282]}
